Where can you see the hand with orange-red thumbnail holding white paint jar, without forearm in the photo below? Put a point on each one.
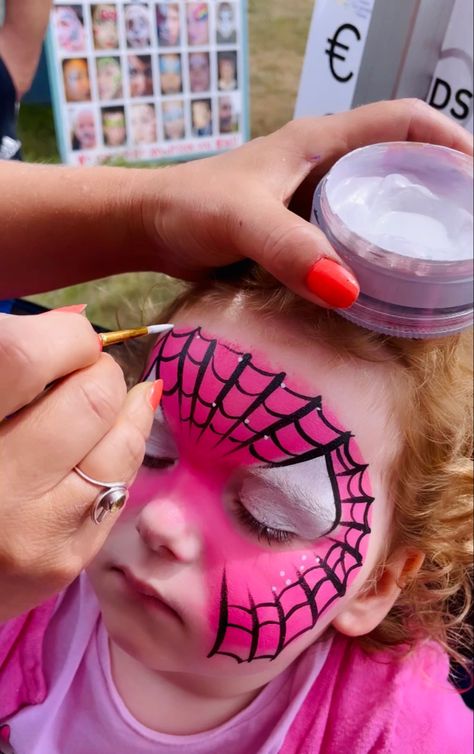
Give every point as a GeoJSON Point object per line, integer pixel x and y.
{"type": "Point", "coordinates": [217, 211]}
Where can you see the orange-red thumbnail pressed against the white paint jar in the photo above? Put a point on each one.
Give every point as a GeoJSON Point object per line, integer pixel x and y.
{"type": "Point", "coordinates": [332, 283]}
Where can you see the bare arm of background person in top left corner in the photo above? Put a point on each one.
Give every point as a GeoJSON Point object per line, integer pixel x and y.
{"type": "Point", "coordinates": [21, 38]}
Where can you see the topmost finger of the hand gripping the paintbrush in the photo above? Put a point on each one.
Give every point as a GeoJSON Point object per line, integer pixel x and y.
{"type": "Point", "coordinates": [35, 350]}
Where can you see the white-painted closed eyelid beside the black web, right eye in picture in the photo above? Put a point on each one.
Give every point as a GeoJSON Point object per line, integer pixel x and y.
{"type": "Point", "coordinates": [299, 498]}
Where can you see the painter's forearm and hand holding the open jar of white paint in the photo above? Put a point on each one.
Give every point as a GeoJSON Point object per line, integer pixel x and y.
{"type": "Point", "coordinates": [63, 225]}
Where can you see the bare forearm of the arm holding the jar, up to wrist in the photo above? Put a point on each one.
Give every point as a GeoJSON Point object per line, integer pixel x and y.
{"type": "Point", "coordinates": [62, 225]}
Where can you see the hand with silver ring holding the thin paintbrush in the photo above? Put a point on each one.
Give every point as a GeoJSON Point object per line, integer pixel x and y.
{"type": "Point", "coordinates": [87, 419]}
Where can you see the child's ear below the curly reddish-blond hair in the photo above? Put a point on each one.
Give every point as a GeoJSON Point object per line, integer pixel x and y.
{"type": "Point", "coordinates": [373, 602]}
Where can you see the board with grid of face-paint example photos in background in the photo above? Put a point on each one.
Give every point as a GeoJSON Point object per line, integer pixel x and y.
{"type": "Point", "coordinates": [149, 80]}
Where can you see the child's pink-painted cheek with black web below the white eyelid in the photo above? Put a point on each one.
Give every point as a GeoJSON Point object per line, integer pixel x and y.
{"type": "Point", "coordinates": [262, 601]}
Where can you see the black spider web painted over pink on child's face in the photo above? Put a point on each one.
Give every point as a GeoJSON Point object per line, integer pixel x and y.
{"type": "Point", "coordinates": [266, 628]}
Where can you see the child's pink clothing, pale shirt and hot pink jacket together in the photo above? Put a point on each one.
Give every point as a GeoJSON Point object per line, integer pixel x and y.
{"type": "Point", "coordinates": [57, 696]}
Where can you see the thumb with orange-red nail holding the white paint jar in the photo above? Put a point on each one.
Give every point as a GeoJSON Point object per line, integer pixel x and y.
{"type": "Point", "coordinates": [299, 255]}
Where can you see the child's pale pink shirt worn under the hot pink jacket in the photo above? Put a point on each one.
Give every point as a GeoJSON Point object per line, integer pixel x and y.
{"type": "Point", "coordinates": [84, 714]}
